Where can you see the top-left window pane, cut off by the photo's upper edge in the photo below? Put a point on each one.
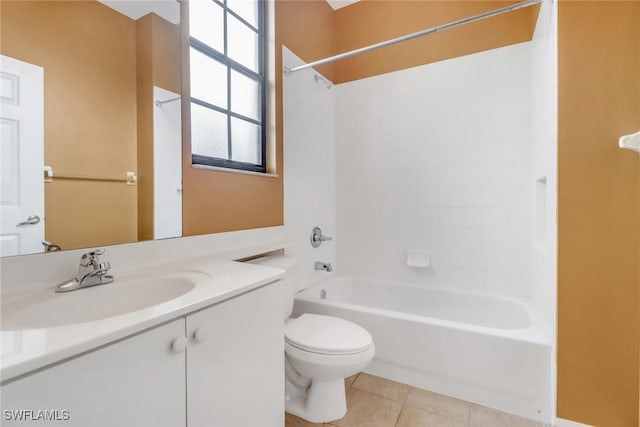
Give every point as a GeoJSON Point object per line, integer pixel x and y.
{"type": "Point", "coordinates": [206, 23]}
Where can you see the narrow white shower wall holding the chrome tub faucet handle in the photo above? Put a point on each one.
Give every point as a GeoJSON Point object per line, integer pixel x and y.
{"type": "Point", "coordinates": [309, 170]}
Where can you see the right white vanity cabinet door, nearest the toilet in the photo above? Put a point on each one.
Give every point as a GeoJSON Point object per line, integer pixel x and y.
{"type": "Point", "coordinates": [235, 361]}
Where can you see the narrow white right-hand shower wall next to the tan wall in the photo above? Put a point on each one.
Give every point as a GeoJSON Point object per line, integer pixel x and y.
{"type": "Point", "coordinates": [544, 174]}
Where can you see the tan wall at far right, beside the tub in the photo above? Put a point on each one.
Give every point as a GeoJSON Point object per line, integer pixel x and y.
{"type": "Point", "coordinates": [598, 213]}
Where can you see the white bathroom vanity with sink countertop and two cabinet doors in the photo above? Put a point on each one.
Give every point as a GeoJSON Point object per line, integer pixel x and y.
{"type": "Point", "coordinates": [199, 343]}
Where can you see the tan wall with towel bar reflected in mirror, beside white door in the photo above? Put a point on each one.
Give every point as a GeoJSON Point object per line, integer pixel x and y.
{"type": "Point", "coordinates": [88, 55]}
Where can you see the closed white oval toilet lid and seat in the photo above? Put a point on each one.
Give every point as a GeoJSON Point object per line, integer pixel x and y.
{"type": "Point", "coordinates": [326, 335]}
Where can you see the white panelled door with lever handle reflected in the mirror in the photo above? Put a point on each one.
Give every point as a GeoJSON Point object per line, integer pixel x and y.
{"type": "Point", "coordinates": [21, 157]}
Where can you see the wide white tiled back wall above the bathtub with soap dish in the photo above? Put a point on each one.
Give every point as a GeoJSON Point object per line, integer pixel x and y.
{"type": "Point", "coordinates": [438, 158]}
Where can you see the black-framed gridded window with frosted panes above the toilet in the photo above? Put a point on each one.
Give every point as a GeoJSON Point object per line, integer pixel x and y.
{"type": "Point", "coordinates": [228, 83]}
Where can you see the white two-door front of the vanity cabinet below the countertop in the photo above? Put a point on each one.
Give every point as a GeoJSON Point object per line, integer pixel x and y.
{"type": "Point", "coordinates": [220, 366]}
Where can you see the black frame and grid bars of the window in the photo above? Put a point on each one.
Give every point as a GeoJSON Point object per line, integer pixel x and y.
{"type": "Point", "coordinates": [260, 76]}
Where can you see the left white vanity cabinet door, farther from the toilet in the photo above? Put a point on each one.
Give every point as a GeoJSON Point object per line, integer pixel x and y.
{"type": "Point", "coordinates": [138, 381]}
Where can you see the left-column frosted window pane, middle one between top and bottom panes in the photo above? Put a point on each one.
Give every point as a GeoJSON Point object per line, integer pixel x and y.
{"type": "Point", "coordinates": [208, 79]}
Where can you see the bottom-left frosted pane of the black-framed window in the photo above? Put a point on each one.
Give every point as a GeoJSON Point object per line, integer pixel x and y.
{"type": "Point", "coordinates": [209, 134]}
